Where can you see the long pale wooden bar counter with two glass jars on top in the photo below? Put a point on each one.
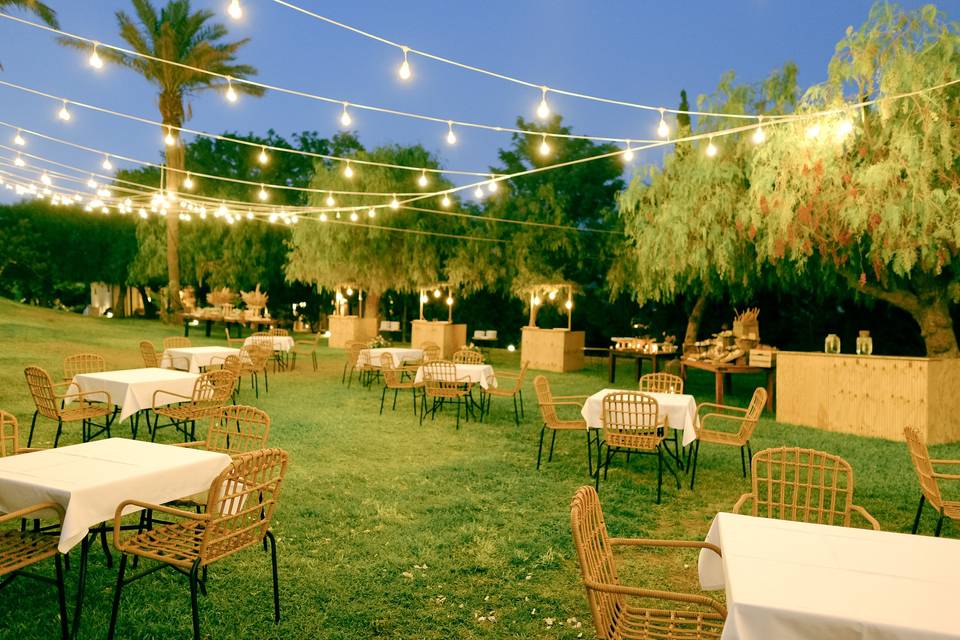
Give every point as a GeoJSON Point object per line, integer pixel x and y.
{"type": "Point", "coordinates": [870, 395]}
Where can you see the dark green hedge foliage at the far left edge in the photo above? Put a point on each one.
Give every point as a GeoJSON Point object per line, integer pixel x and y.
{"type": "Point", "coordinates": [52, 254]}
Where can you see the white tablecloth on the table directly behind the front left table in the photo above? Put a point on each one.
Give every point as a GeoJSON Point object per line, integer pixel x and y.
{"type": "Point", "coordinates": [132, 389]}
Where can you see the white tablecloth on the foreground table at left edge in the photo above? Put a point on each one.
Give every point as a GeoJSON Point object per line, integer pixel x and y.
{"type": "Point", "coordinates": [89, 480]}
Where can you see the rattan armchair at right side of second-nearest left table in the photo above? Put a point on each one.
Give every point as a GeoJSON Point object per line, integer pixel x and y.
{"type": "Point", "coordinates": [211, 392]}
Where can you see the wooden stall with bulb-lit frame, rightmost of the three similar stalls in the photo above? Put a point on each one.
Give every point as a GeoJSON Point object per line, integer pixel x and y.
{"type": "Point", "coordinates": [558, 349]}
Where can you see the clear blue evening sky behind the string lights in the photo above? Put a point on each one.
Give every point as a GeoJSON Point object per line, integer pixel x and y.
{"type": "Point", "coordinates": [633, 50]}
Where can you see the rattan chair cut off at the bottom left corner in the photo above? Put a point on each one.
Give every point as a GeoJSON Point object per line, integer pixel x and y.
{"type": "Point", "coordinates": [20, 549]}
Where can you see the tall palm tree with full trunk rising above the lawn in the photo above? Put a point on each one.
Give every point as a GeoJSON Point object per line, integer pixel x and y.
{"type": "Point", "coordinates": [179, 35]}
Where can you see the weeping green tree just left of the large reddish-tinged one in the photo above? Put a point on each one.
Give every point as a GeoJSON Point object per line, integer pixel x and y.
{"type": "Point", "coordinates": [682, 220]}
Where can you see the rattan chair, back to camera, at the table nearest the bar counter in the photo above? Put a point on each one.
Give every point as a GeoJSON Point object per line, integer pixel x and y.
{"type": "Point", "coordinates": [632, 424]}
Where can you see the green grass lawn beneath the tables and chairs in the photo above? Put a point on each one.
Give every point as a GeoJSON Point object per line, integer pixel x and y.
{"type": "Point", "coordinates": [390, 529]}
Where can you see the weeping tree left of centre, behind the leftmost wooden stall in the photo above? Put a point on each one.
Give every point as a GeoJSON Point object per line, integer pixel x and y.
{"type": "Point", "coordinates": [395, 249]}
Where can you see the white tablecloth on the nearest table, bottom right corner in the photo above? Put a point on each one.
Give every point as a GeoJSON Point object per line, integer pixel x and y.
{"type": "Point", "coordinates": [793, 580]}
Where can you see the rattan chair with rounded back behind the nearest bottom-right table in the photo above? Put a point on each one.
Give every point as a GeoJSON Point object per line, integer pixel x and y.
{"type": "Point", "coordinates": [803, 485]}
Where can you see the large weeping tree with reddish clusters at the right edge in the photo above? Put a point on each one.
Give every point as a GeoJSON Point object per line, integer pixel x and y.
{"type": "Point", "coordinates": [871, 196]}
